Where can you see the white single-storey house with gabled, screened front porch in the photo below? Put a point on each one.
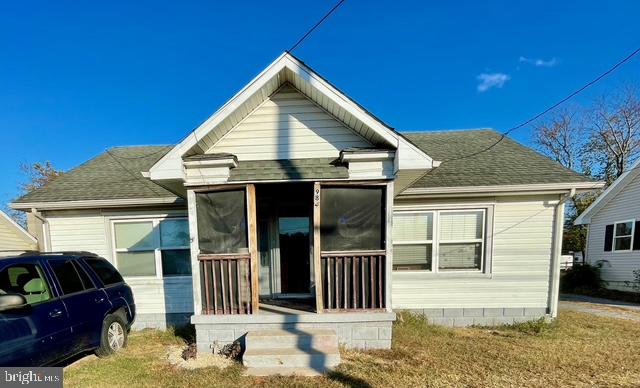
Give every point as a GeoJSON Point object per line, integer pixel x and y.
{"type": "Point", "coordinates": [294, 207]}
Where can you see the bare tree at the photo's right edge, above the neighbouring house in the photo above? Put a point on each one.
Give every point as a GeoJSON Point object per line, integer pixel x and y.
{"type": "Point", "coordinates": [615, 132]}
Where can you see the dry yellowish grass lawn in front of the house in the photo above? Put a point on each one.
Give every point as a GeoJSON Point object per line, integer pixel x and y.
{"type": "Point", "coordinates": [578, 350]}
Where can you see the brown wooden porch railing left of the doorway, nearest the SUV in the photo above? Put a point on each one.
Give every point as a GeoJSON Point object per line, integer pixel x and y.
{"type": "Point", "coordinates": [226, 283]}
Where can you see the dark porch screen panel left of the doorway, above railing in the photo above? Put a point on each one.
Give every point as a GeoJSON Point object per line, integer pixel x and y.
{"type": "Point", "coordinates": [222, 222]}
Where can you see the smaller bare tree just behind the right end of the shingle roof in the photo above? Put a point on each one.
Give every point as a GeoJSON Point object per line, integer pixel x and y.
{"type": "Point", "coordinates": [562, 138]}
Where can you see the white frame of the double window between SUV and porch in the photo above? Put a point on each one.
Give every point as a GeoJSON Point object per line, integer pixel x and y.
{"type": "Point", "coordinates": [157, 243]}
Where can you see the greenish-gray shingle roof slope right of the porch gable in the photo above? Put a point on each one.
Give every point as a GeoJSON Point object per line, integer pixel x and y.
{"type": "Point", "coordinates": [485, 162]}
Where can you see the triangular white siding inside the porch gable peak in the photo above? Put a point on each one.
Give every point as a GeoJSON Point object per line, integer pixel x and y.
{"type": "Point", "coordinates": [288, 126]}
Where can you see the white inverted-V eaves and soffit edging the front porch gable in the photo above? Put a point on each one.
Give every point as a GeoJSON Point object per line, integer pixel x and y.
{"type": "Point", "coordinates": [287, 68]}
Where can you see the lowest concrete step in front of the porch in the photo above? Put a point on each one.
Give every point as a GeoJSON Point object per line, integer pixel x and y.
{"type": "Point", "coordinates": [319, 360]}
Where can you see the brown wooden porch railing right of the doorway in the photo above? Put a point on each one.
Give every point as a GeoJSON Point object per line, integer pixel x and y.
{"type": "Point", "coordinates": [353, 280]}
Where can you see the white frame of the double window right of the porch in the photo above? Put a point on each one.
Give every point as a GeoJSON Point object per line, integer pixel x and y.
{"type": "Point", "coordinates": [488, 210]}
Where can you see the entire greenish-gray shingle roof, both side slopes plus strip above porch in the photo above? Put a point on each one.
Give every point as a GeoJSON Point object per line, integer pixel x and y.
{"type": "Point", "coordinates": [115, 174]}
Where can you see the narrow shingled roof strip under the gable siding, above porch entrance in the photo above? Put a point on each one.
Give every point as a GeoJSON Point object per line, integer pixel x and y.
{"type": "Point", "coordinates": [291, 169]}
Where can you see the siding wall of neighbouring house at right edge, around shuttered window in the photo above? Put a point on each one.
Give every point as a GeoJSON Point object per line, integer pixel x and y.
{"type": "Point", "coordinates": [619, 265]}
